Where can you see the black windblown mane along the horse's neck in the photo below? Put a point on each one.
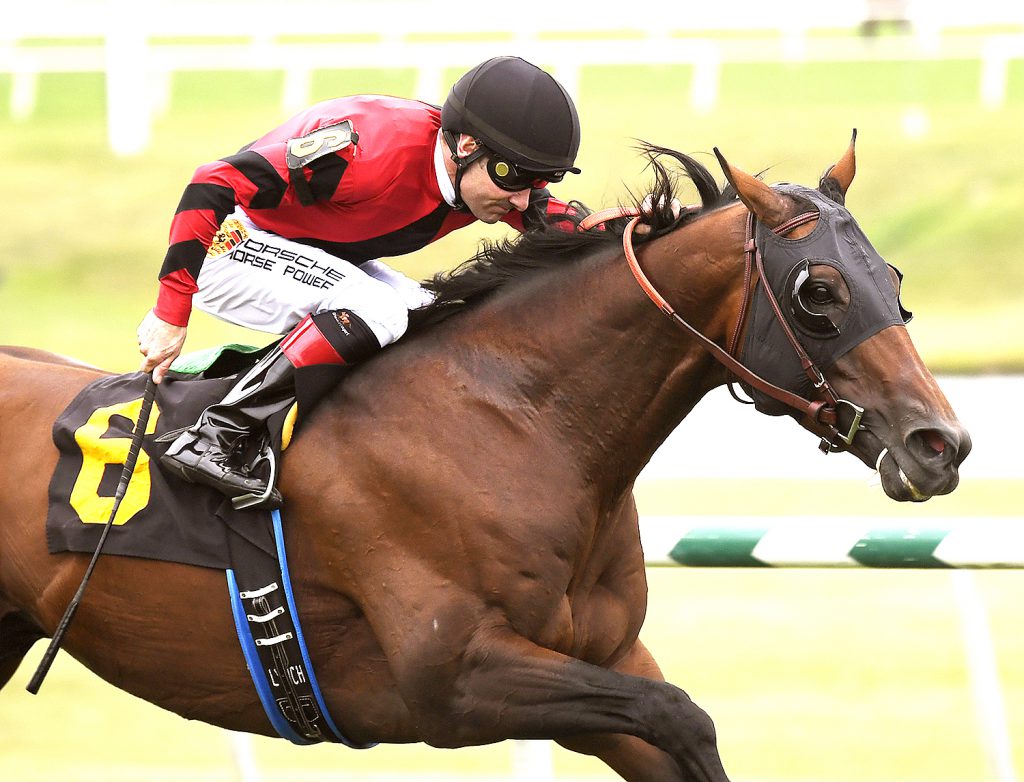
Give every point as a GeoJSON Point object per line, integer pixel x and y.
{"type": "Point", "coordinates": [553, 244]}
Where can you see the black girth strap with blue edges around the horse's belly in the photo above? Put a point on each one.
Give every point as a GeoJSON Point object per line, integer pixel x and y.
{"type": "Point", "coordinates": [268, 624]}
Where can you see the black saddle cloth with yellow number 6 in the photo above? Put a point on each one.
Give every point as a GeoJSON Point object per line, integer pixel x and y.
{"type": "Point", "coordinates": [161, 516]}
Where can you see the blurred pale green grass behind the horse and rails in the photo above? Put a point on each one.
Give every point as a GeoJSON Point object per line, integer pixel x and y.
{"type": "Point", "coordinates": [809, 675]}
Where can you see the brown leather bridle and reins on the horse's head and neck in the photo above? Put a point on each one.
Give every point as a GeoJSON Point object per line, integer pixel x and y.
{"type": "Point", "coordinates": [824, 415]}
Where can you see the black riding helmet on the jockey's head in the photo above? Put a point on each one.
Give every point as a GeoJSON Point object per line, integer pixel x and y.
{"type": "Point", "coordinates": [520, 114]}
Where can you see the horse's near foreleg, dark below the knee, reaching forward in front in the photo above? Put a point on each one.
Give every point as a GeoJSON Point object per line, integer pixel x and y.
{"type": "Point", "coordinates": [502, 686]}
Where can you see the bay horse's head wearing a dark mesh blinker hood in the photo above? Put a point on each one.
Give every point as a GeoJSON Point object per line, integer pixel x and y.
{"type": "Point", "coordinates": [828, 322]}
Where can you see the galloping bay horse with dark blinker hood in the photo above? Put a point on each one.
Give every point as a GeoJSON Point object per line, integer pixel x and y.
{"type": "Point", "coordinates": [462, 505]}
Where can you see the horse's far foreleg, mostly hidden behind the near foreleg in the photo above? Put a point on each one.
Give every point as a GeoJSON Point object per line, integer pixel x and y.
{"type": "Point", "coordinates": [631, 758]}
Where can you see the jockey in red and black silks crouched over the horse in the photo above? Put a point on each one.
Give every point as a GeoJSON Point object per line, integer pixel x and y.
{"type": "Point", "coordinates": [285, 237]}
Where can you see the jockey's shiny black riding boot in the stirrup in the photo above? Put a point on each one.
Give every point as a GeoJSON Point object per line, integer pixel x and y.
{"type": "Point", "coordinates": [230, 442]}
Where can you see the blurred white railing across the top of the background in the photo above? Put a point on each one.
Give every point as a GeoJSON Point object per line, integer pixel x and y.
{"type": "Point", "coordinates": [141, 45]}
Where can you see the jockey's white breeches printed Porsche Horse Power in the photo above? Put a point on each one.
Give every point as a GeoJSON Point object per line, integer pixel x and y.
{"type": "Point", "coordinates": [265, 282]}
